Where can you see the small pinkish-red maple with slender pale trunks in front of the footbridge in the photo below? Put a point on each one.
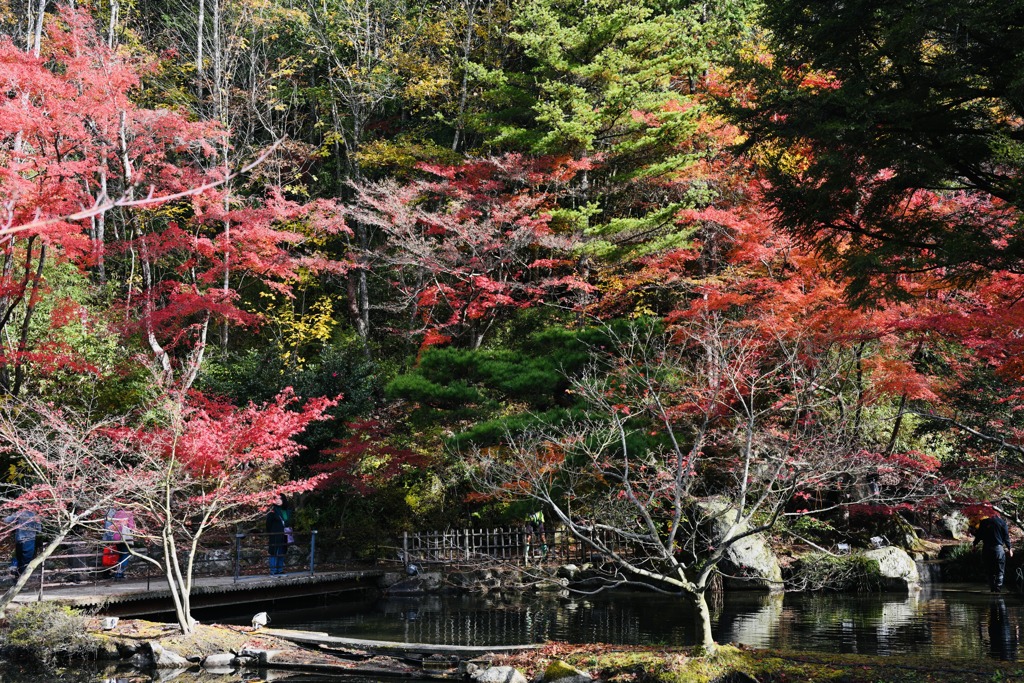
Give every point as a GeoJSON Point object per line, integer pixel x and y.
{"type": "Point", "coordinates": [210, 465]}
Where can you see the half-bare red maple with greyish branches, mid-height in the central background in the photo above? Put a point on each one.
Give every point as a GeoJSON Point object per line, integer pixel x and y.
{"type": "Point", "coordinates": [473, 244]}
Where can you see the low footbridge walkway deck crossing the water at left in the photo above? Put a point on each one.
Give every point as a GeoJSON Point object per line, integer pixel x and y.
{"type": "Point", "coordinates": [141, 597]}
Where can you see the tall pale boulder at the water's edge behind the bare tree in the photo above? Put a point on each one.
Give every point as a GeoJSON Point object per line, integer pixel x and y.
{"type": "Point", "coordinates": [750, 563]}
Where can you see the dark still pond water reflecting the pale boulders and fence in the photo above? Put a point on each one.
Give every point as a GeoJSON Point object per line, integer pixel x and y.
{"type": "Point", "coordinates": [946, 621]}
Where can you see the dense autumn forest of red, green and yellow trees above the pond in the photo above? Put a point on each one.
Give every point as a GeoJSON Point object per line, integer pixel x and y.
{"type": "Point", "coordinates": [430, 265]}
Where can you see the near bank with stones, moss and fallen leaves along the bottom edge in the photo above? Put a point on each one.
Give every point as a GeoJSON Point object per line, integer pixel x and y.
{"type": "Point", "coordinates": [148, 653]}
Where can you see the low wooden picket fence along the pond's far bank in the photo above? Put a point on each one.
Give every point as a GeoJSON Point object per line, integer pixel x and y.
{"type": "Point", "coordinates": [483, 546]}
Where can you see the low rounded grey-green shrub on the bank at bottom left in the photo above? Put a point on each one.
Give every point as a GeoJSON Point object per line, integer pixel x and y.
{"type": "Point", "coordinates": [45, 634]}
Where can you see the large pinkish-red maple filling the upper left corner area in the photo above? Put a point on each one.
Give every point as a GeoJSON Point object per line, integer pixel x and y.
{"type": "Point", "coordinates": [126, 195]}
